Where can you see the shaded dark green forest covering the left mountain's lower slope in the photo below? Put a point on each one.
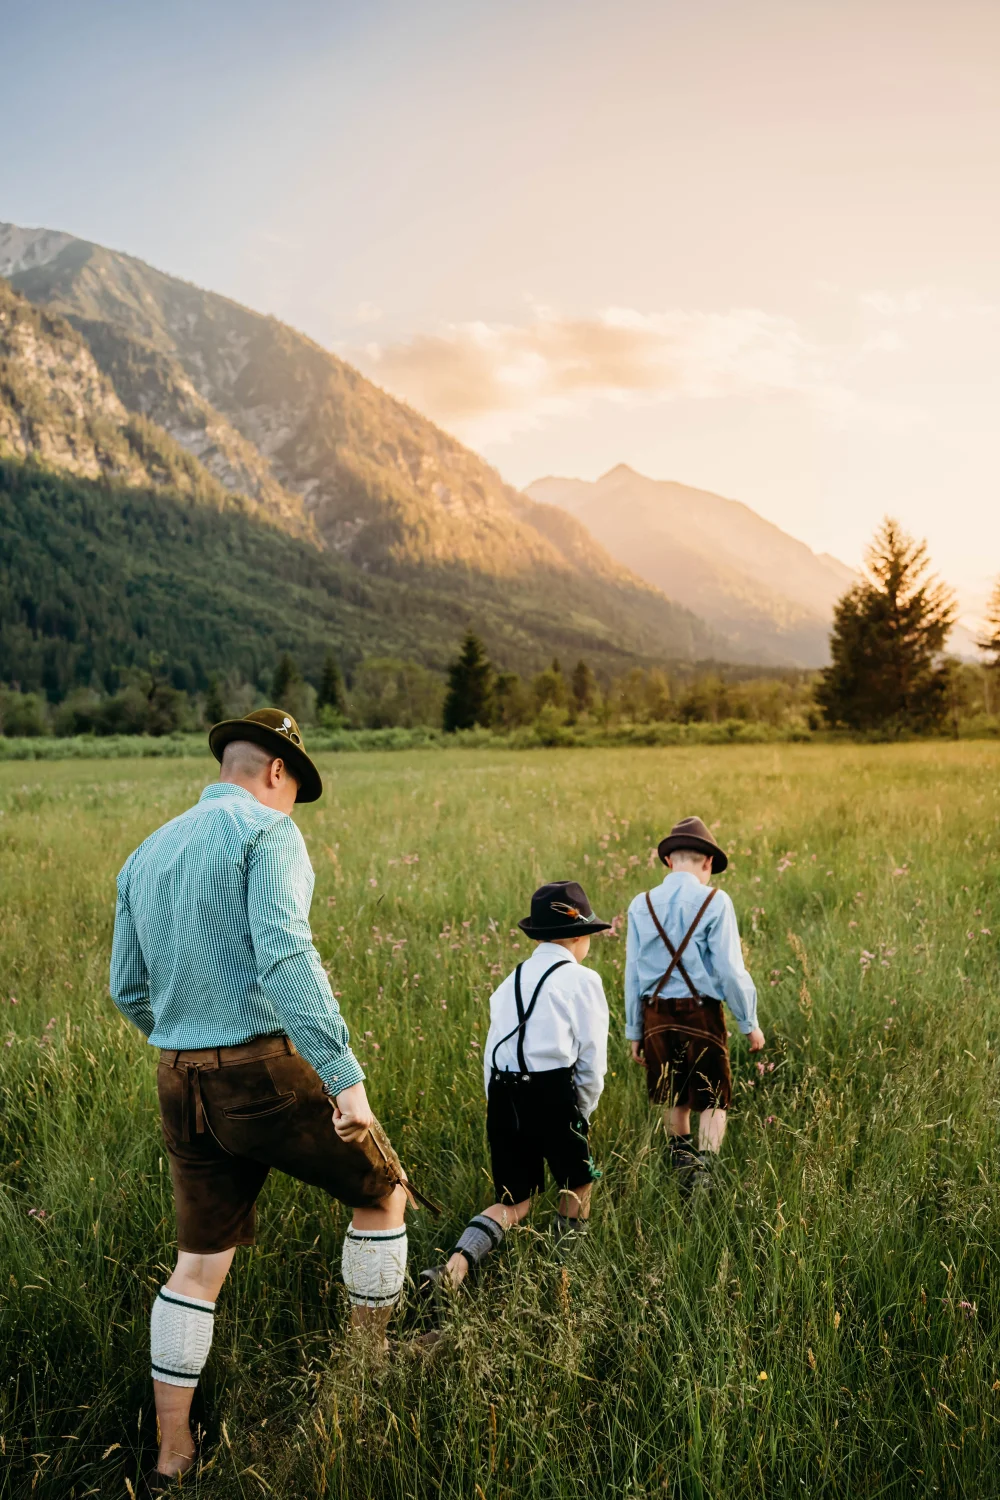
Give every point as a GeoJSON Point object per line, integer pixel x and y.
{"type": "Point", "coordinates": [95, 578]}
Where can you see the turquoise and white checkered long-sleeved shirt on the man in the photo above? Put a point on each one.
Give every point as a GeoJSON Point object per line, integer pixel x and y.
{"type": "Point", "coordinates": [212, 941]}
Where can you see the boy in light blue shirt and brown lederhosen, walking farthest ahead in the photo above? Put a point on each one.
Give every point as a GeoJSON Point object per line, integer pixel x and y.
{"type": "Point", "coordinates": [683, 959]}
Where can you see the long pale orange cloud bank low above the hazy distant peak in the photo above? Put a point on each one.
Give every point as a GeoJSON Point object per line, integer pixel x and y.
{"type": "Point", "coordinates": [494, 380]}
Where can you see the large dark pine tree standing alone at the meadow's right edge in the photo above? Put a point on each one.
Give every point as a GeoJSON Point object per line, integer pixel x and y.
{"type": "Point", "coordinates": [887, 643]}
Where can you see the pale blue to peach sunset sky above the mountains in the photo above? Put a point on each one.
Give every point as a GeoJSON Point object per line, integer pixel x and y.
{"type": "Point", "coordinates": [749, 245]}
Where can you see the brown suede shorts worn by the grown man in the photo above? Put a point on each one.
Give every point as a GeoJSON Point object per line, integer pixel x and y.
{"type": "Point", "coordinates": [230, 1115]}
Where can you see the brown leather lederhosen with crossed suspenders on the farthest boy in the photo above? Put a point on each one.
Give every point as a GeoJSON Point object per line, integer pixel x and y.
{"type": "Point", "coordinates": [686, 1046]}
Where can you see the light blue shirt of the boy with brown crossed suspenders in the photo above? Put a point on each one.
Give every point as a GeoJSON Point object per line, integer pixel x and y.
{"type": "Point", "coordinates": [714, 958]}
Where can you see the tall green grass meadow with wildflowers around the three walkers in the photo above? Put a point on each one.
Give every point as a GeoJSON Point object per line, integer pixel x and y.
{"type": "Point", "coordinates": [828, 1327]}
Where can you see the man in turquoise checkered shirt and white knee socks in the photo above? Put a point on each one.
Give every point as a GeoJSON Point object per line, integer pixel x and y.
{"type": "Point", "coordinates": [214, 961]}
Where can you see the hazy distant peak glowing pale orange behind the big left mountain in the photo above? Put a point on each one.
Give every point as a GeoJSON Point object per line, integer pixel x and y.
{"type": "Point", "coordinates": [767, 592]}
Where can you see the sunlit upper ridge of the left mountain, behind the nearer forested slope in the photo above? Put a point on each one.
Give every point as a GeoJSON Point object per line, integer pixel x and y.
{"type": "Point", "coordinates": [323, 454]}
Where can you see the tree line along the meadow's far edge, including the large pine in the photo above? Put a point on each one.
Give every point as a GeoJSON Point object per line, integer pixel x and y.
{"type": "Point", "coordinates": [888, 674]}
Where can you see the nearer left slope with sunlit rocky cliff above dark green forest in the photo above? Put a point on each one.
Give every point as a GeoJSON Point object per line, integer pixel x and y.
{"type": "Point", "coordinates": [118, 545]}
